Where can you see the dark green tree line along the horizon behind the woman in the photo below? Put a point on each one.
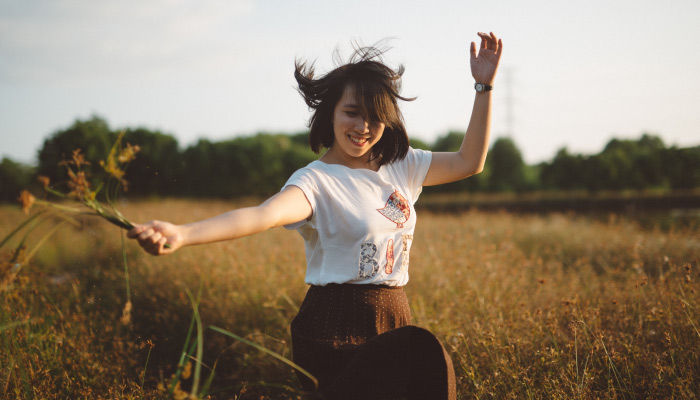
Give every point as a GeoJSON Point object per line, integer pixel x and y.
{"type": "Point", "coordinates": [259, 165]}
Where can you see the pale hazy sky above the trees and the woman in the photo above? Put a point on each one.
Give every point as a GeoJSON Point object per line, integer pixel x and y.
{"type": "Point", "coordinates": [573, 74]}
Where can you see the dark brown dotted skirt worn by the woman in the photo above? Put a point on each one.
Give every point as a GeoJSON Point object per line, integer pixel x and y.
{"type": "Point", "coordinates": [358, 342]}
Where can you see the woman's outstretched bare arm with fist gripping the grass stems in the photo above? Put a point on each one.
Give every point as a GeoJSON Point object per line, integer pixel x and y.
{"type": "Point", "coordinates": [286, 207]}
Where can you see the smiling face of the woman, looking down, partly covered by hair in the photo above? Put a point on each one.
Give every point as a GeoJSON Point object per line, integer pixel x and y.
{"type": "Point", "coordinates": [354, 136]}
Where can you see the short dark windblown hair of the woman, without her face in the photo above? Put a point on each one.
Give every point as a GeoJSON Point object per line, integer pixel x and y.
{"type": "Point", "coordinates": [376, 87]}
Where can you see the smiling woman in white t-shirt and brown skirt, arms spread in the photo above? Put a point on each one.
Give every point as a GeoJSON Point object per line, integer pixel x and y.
{"type": "Point", "coordinates": [354, 209]}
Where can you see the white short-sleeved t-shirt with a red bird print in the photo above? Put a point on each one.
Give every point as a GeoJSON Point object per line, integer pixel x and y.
{"type": "Point", "coordinates": [362, 224]}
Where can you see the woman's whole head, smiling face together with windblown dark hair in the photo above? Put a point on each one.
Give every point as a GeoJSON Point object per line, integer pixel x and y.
{"type": "Point", "coordinates": [356, 105]}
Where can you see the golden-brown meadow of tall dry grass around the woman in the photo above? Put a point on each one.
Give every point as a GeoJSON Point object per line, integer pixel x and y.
{"type": "Point", "coordinates": [540, 306]}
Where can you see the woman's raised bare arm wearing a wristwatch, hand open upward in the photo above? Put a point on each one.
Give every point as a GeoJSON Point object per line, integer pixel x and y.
{"type": "Point", "coordinates": [470, 158]}
